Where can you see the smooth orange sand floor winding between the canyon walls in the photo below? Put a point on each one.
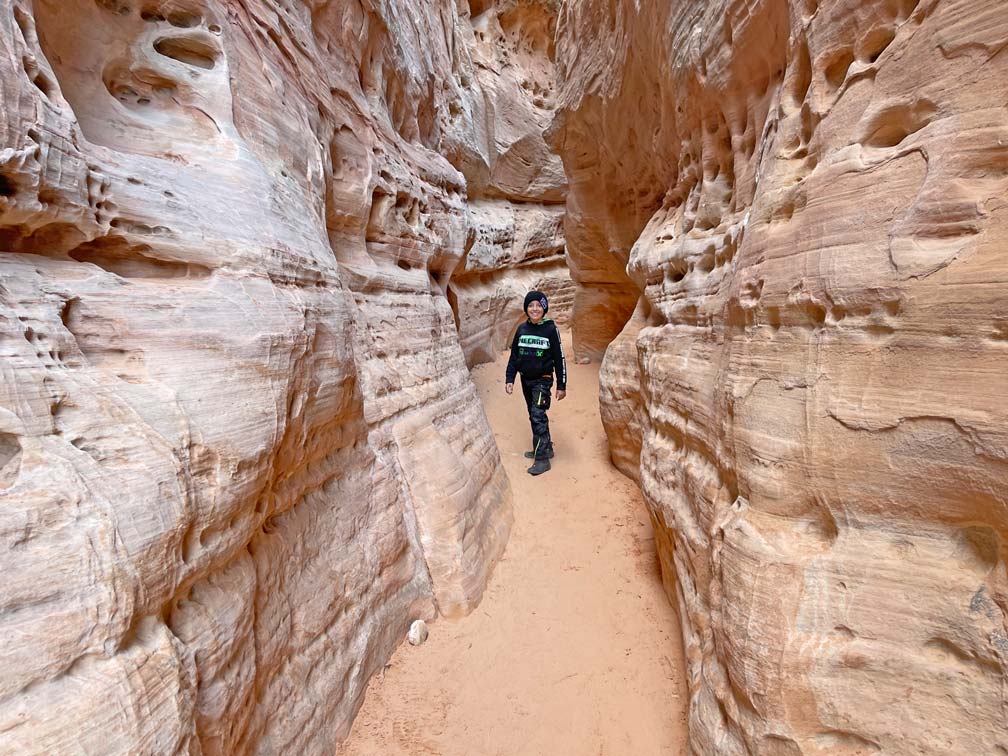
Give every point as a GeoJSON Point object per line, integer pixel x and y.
{"type": "Point", "coordinates": [575, 648]}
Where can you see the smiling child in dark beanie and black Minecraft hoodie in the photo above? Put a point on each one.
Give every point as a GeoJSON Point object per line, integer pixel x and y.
{"type": "Point", "coordinates": [537, 353]}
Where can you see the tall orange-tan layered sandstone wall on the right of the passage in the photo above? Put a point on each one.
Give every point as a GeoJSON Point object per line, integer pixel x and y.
{"type": "Point", "coordinates": [809, 198]}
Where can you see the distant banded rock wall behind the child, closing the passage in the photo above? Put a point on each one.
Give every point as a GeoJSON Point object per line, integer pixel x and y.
{"type": "Point", "coordinates": [518, 192]}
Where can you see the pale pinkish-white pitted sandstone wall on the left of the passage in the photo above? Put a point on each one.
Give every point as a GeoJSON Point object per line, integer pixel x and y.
{"type": "Point", "coordinates": [239, 447]}
